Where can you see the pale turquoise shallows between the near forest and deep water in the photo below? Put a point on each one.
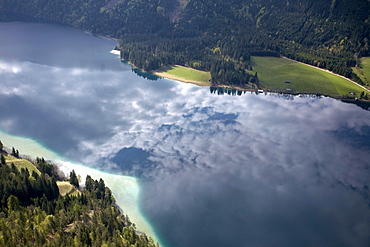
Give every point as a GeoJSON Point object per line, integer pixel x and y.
{"type": "Point", "coordinates": [125, 189]}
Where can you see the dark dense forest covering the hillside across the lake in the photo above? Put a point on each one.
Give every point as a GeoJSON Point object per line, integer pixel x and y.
{"type": "Point", "coordinates": [215, 35]}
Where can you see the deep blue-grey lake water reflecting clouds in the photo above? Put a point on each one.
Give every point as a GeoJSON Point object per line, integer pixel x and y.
{"type": "Point", "coordinates": [215, 170]}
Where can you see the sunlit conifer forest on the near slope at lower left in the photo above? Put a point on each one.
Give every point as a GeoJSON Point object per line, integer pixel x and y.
{"type": "Point", "coordinates": [33, 213]}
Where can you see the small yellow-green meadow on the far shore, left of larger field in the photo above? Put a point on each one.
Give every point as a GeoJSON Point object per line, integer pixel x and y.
{"type": "Point", "coordinates": [186, 73]}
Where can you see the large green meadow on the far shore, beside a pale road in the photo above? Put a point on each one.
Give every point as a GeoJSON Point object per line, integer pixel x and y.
{"type": "Point", "coordinates": [273, 73]}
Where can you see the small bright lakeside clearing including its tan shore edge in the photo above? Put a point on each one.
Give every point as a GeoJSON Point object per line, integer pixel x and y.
{"type": "Point", "coordinates": [185, 74]}
